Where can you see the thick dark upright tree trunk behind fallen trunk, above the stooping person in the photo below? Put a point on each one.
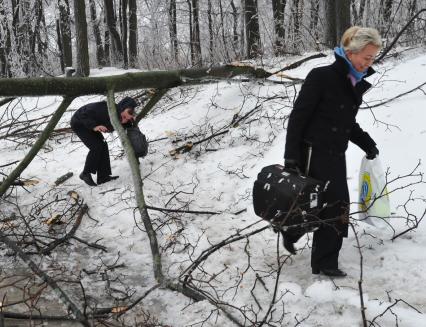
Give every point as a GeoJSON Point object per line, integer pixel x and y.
{"type": "Point", "coordinates": [82, 46]}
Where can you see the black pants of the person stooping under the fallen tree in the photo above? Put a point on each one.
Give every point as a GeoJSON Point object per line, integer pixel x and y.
{"type": "Point", "coordinates": [97, 160]}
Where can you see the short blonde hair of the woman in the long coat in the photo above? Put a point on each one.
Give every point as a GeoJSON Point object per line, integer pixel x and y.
{"type": "Point", "coordinates": [357, 38]}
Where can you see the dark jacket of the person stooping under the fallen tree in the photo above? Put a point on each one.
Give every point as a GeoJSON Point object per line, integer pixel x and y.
{"type": "Point", "coordinates": [94, 114]}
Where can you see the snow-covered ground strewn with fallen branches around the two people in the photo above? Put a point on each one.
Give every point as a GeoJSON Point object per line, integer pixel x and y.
{"type": "Point", "coordinates": [217, 176]}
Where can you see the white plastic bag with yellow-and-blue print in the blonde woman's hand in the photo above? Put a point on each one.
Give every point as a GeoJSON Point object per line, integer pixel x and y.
{"type": "Point", "coordinates": [373, 195]}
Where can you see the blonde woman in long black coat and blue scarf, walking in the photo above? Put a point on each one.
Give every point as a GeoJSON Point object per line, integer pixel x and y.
{"type": "Point", "coordinates": [323, 118]}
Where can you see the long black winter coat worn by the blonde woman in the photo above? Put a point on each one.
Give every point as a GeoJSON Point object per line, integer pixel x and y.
{"type": "Point", "coordinates": [324, 116]}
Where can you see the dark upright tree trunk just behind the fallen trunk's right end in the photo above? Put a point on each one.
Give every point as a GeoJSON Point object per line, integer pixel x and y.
{"type": "Point", "coordinates": [252, 29]}
